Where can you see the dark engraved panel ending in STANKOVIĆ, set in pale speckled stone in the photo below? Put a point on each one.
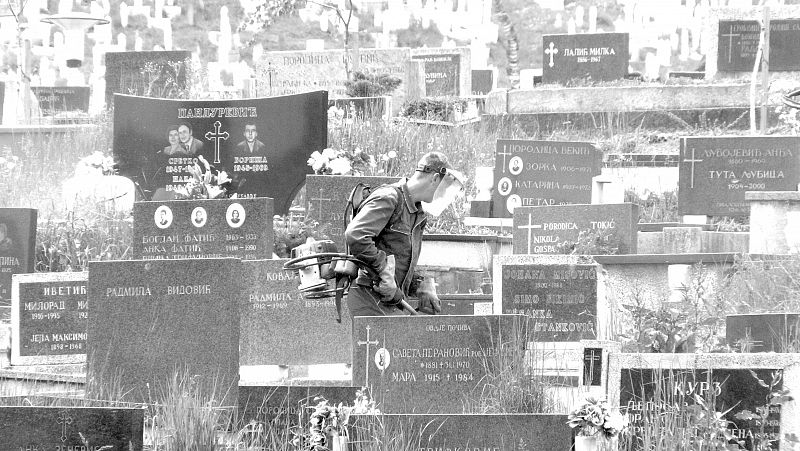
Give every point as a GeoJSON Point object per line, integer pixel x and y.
{"type": "Point", "coordinates": [561, 299]}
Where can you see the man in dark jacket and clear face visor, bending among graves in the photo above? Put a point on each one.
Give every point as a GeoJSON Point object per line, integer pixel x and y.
{"type": "Point", "coordinates": [386, 234]}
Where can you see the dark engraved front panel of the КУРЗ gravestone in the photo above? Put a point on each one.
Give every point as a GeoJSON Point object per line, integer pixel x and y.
{"type": "Point", "coordinates": [733, 390]}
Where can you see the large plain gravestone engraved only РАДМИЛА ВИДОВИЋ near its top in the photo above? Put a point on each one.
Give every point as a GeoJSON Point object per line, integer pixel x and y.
{"type": "Point", "coordinates": [151, 319]}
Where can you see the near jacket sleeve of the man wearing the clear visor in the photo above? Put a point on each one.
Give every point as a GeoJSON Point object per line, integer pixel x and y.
{"type": "Point", "coordinates": [371, 219]}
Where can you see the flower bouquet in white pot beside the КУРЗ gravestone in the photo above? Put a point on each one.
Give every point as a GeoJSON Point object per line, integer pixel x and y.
{"type": "Point", "coordinates": [597, 425]}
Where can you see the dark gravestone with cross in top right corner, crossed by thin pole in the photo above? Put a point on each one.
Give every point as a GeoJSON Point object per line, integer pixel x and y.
{"type": "Point", "coordinates": [738, 45]}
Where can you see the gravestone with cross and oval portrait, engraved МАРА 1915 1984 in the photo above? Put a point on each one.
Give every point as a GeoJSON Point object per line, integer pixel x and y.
{"type": "Point", "coordinates": [432, 364]}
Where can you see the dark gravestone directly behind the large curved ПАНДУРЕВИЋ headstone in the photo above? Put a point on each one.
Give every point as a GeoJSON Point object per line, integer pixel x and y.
{"type": "Point", "coordinates": [148, 73]}
